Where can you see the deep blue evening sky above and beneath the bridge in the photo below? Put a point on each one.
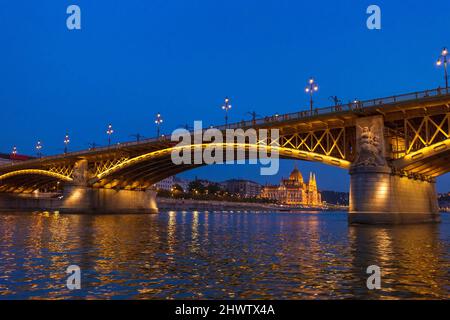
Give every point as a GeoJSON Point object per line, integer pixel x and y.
{"type": "Point", "coordinates": [134, 58]}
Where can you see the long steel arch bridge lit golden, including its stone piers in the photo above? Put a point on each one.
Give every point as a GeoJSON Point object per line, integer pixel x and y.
{"type": "Point", "coordinates": [393, 147]}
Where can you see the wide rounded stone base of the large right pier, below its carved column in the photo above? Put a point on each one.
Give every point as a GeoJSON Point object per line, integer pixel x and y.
{"type": "Point", "coordinates": [379, 197]}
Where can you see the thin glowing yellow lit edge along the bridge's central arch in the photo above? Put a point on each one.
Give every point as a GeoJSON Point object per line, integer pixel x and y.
{"type": "Point", "coordinates": [283, 151]}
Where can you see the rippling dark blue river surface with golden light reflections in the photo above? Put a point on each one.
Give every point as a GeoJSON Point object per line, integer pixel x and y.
{"type": "Point", "coordinates": [197, 255]}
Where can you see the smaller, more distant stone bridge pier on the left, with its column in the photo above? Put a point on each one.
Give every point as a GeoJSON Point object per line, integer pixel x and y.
{"type": "Point", "coordinates": [79, 197]}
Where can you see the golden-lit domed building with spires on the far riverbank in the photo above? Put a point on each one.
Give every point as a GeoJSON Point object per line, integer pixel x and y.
{"type": "Point", "coordinates": [294, 191]}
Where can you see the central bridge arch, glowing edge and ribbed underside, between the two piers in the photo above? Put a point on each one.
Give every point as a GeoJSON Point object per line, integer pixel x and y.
{"type": "Point", "coordinates": [144, 170]}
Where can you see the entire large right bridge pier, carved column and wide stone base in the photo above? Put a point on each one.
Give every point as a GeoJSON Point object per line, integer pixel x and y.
{"type": "Point", "coordinates": [377, 196]}
